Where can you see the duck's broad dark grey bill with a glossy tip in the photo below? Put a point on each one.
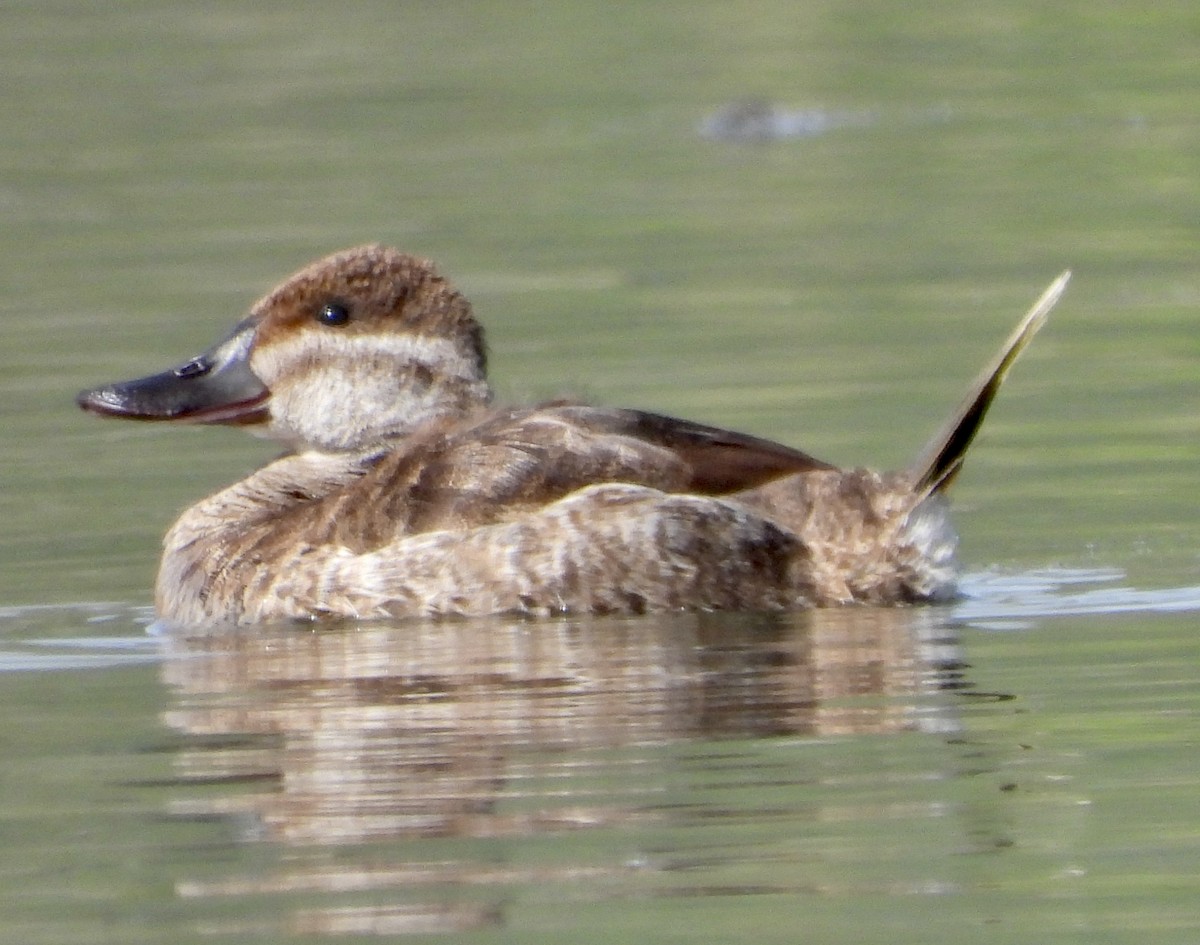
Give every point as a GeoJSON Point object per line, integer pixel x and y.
{"type": "Point", "coordinates": [215, 388]}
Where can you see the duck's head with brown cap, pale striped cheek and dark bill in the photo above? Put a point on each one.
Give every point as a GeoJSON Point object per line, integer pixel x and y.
{"type": "Point", "coordinates": [358, 348]}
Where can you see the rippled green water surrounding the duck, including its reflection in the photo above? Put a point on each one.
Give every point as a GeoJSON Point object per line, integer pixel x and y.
{"type": "Point", "coordinates": [1016, 768]}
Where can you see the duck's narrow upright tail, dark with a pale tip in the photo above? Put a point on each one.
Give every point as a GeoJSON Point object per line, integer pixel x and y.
{"type": "Point", "coordinates": [943, 458]}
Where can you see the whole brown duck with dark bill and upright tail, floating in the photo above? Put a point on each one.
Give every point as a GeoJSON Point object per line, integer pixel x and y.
{"type": "Point", "coordinates": [405, 491]}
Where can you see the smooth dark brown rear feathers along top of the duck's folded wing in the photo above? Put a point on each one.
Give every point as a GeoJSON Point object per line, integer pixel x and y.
{"type": "Point", "coordinates": [719, 461]}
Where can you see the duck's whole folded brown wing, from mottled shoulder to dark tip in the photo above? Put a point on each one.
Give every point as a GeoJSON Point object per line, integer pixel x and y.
{"type": "Point", "coordinates": [511, 462]}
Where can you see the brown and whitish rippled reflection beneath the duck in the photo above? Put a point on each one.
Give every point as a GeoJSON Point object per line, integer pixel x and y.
{"type": "Point", "coordinates": [491, 729]}
